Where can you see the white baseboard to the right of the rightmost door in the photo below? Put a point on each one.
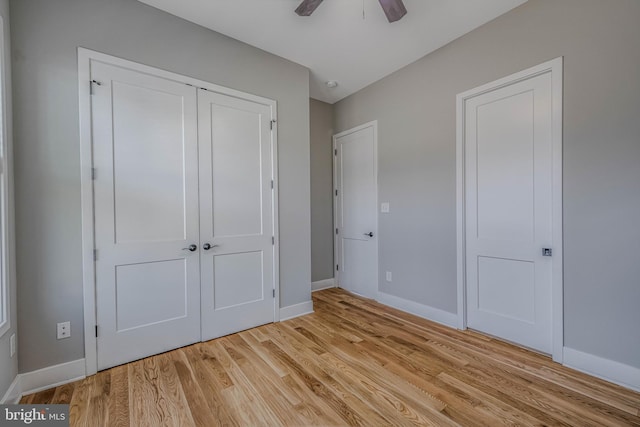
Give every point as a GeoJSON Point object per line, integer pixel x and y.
{"type": "Point", "coordinates": [609, 370]}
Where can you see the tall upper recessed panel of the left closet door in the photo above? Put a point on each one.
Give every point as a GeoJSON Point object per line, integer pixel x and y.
{"type": "Point", "coordinates": [149, 161]}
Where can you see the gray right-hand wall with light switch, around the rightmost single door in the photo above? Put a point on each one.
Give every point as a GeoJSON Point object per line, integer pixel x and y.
{"type": "Point", "coordinates": [415, 108]}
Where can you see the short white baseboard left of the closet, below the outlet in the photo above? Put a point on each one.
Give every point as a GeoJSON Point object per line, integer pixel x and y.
{"type": "Point", "coordinates": [52, 376]}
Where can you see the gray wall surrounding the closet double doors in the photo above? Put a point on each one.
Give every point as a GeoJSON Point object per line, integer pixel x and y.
{"type": "Point", "coordinates": [46, 35]}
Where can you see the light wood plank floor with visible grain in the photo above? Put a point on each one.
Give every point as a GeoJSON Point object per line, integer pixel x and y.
{"type": "Point", "coordinates": [352, 362]}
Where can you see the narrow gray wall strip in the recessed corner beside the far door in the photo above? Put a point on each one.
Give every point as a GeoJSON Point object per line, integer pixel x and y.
{"type": "Point", "coordinates": [321, 119]}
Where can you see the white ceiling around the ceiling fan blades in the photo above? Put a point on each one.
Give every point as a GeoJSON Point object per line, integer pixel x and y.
{"type": "Point", "coordinates": [336, 43]}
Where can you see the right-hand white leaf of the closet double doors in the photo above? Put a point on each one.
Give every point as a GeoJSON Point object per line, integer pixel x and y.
{"type": "Point", "coordinates": [236, 216]}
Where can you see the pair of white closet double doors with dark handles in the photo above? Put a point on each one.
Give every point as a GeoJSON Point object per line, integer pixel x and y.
{"type": "Point", "coordinates": [184, 213]}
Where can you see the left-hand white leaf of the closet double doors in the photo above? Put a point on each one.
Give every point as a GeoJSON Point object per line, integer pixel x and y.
{"type": "Point", "coordinates": [146, 211]}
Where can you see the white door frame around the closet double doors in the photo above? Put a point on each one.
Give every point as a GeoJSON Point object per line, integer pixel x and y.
{"type": "Point", "coordinates": [85, 56]}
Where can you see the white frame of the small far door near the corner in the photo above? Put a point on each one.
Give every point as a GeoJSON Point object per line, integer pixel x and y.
{"type": "Point", "coordinates": [336, 252]}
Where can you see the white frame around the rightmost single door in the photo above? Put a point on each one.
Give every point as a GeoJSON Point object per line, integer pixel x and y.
{"type": "Point", "coordinates": [555, 68]}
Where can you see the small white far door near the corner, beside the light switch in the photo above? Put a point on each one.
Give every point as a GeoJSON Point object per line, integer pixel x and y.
{"type": "Point", "coordinates": [356, 210]}
